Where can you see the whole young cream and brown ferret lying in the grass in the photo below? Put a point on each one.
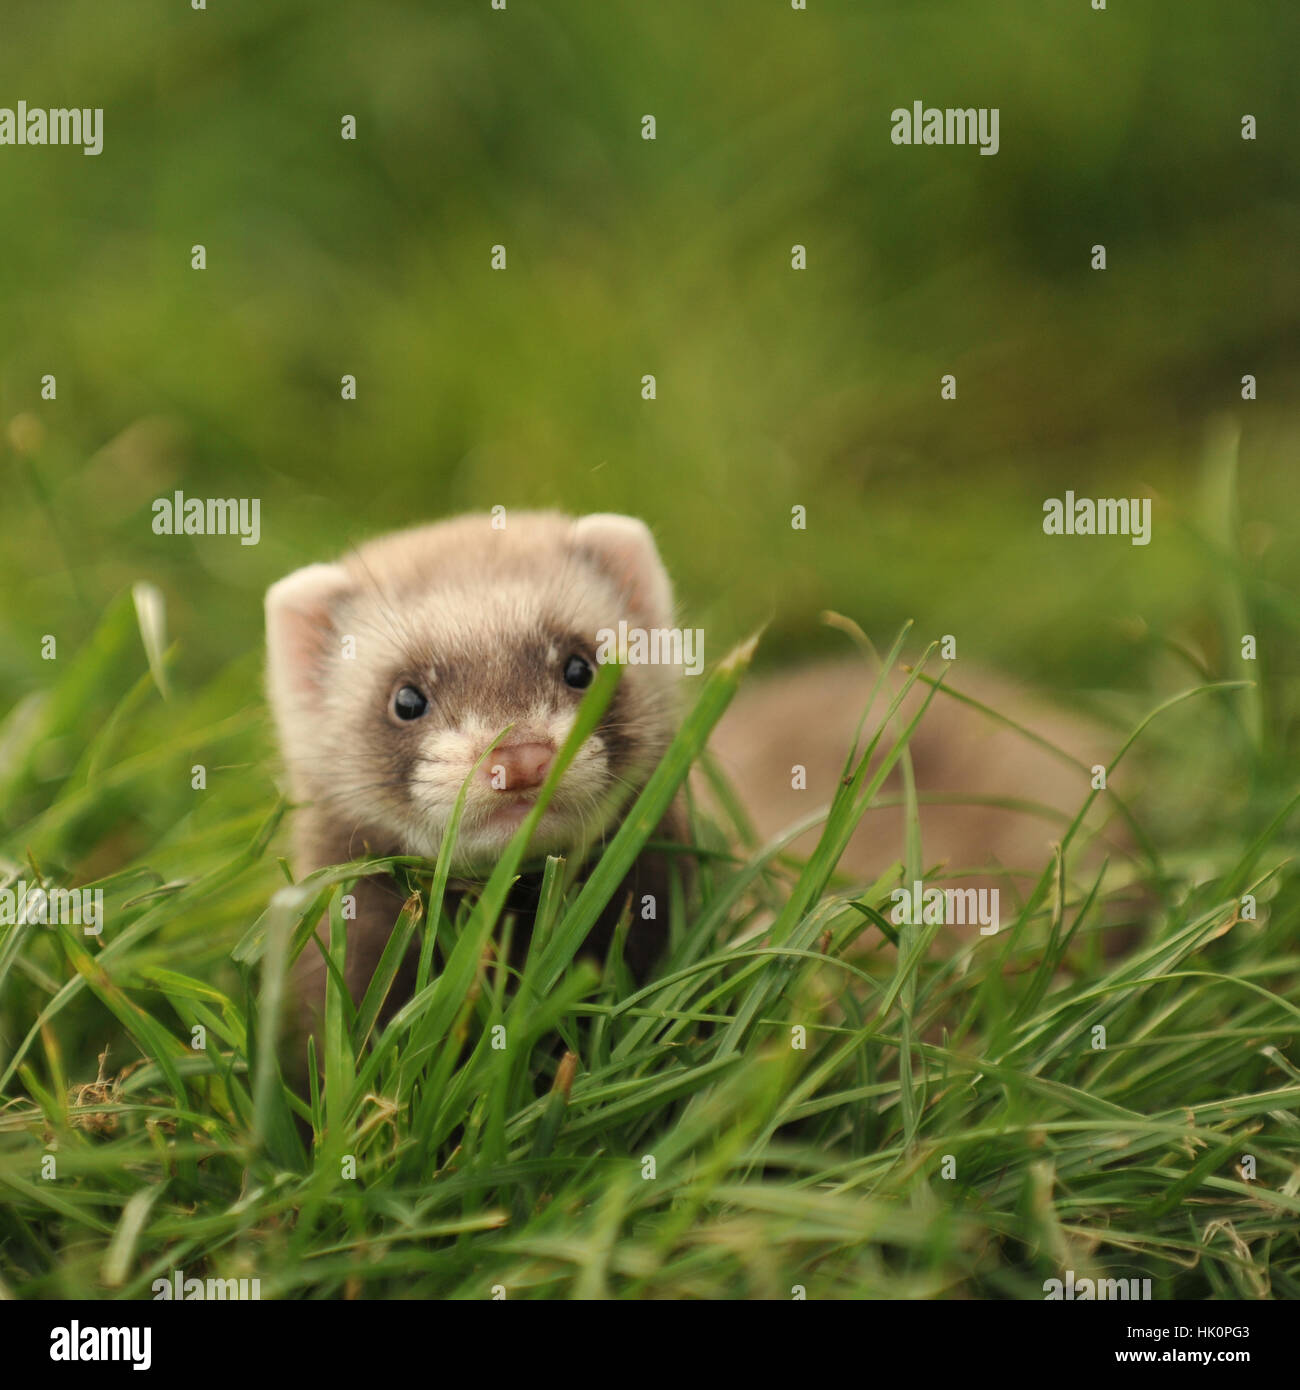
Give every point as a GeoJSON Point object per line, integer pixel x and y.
{"type": "Point", "coordinates": [391, 671]}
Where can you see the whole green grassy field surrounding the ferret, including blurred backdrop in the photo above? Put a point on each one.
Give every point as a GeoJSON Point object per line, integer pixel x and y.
{"type": "Point", "coordinates": [129, 660]}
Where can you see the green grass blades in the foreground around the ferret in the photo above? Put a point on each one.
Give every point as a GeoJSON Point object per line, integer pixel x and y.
{"type": "Point", "coordinates": [797, 1100]}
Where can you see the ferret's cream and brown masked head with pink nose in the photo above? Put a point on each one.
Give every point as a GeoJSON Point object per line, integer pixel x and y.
{"type": "Point", "coordinates": [391, 672]}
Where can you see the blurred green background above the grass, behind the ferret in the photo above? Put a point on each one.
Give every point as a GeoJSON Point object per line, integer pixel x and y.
{"type": "Point", "coordinates": [775, 387]}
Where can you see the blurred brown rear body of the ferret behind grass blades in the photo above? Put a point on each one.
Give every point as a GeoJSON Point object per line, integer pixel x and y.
{"type": "Point", "coordinates": [993, 803]}
